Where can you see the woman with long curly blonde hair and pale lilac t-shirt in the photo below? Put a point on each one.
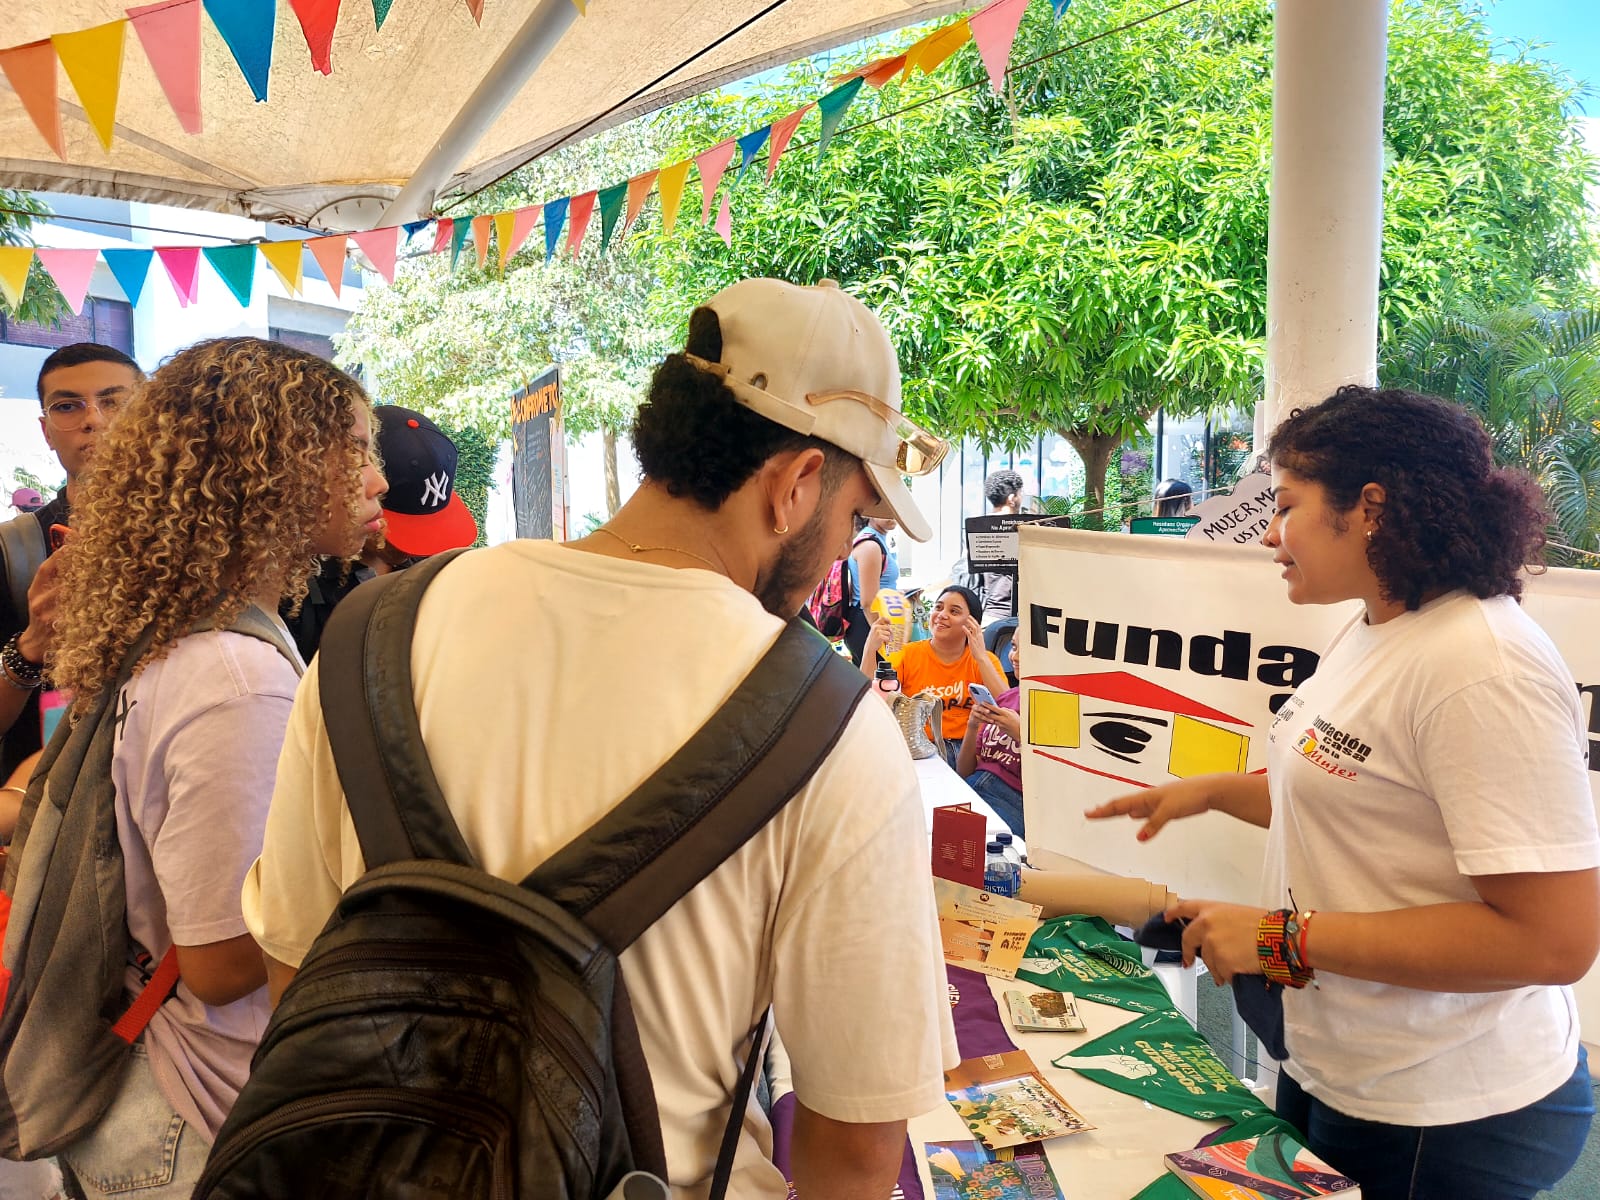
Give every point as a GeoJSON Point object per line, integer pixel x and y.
{"type": "Point", "coordinates": [223, 481]}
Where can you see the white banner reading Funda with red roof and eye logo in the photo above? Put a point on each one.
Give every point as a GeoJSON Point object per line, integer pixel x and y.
{"type": "Point", "coordinates": [1159, 658]}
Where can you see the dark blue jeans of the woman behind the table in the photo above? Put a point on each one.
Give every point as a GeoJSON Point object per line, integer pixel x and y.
{"type": "Point", "coordinates": [1506, 1158]}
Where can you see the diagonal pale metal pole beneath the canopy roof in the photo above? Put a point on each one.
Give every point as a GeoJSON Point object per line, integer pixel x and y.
{"type": "Point", "coordinates": [522, 57]}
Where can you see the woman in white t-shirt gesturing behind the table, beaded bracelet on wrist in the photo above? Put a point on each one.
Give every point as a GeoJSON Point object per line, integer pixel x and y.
{"type": "Point", "coordinates": [1433, 854]}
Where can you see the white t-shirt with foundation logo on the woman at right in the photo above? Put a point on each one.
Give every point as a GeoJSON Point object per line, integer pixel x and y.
{"type": "Point", "coordinates": [1442, 745]}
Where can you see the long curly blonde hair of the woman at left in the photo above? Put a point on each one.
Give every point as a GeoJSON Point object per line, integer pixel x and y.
{"type": "Point", "coordinates": [212, 486]}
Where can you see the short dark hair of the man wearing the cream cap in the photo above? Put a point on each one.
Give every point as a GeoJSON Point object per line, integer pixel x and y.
{"type": "Point", "coordinates": [697, 441]}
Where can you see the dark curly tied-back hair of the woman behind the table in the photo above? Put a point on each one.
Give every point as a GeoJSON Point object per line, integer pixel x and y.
{"type": "Point", "coordinates": [1452, 519]}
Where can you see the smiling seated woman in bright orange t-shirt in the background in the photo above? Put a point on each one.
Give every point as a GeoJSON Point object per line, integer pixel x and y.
{"type": "Point", "coordinates": [953, 660]}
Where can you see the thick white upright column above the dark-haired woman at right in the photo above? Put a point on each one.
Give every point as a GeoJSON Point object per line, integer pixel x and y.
{"type": "Point", "coordinates": [1326, 225]}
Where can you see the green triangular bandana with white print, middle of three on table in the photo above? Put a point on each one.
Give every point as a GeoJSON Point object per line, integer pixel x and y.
{"type": "Point", "coordinates": [1162, 1060]}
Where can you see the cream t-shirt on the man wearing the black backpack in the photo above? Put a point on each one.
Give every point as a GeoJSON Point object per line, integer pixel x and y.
{"type": "Point", "coordinates": [550, 684]}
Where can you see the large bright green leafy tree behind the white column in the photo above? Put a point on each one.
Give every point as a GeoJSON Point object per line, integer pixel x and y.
{"type": "Point", "coordinates": [1094, 246]}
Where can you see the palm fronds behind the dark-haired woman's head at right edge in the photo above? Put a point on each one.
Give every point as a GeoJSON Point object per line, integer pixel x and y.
{"type": "Point", "coordinates": [1534, 377]}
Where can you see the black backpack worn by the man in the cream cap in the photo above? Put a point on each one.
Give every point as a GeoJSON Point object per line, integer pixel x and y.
{"type": "Point", "coordinates": [452, 1034]}
